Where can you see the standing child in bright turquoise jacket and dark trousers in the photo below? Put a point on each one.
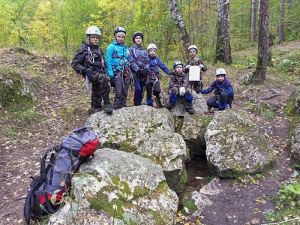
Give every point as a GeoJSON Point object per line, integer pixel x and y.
{"type": "Point", "coordinates": [117, 61]}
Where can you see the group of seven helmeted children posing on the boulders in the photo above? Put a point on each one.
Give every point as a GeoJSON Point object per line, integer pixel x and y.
{"type": "Point", "coordinates": [136, 66]}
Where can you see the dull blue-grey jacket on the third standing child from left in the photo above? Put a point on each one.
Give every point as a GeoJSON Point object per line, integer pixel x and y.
{"type": "Point", "coordinates": [139, 59]}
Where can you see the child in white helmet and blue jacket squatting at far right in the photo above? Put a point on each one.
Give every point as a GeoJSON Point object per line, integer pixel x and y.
{"type": "Point", "coordinates": [223, 91]}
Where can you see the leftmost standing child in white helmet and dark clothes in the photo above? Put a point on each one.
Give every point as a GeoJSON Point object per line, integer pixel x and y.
{"type": "Point", "coordinates": [90, 63]}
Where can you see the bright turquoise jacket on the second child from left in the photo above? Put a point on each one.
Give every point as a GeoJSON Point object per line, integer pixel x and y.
{"type": "Point", "coordinates": [117, 58]}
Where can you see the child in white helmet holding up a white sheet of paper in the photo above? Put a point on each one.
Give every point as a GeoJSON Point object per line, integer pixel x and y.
{"type": "Point", "coordinates": [193, 60]}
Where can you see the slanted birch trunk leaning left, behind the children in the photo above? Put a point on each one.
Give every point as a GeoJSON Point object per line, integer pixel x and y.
{"type": "Point", "coordinates": [176, 15]}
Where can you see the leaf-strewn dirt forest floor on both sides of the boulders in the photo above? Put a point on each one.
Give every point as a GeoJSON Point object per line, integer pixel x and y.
{"type": "Point", "coordinates": [61, 105]}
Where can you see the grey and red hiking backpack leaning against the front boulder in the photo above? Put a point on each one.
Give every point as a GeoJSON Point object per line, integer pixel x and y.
{"type": "Point", "coordinates": [57, 165]}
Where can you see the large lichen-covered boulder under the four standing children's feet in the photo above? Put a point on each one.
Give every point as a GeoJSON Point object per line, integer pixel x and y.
{"type": "Point", "coordinates": [148, 132]}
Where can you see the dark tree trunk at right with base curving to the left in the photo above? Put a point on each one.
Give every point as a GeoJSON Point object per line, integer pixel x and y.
{"type": "Point", "coordinates": [263, 44]}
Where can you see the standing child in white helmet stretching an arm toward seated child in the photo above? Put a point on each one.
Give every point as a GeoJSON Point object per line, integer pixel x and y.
{"type": "Point", "coordinates": [153, 83]}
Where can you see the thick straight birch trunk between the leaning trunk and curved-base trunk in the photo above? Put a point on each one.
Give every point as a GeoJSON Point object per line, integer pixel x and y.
{"type": "Point", "coordinates": [223, 49]}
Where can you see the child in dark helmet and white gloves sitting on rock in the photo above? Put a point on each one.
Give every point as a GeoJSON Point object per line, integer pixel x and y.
{"type": "Point", "coordinates": [179, 86]}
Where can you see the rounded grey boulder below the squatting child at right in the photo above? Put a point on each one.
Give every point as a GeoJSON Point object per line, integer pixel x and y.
{"type": "Point", "coordinates": [235, 147]}
